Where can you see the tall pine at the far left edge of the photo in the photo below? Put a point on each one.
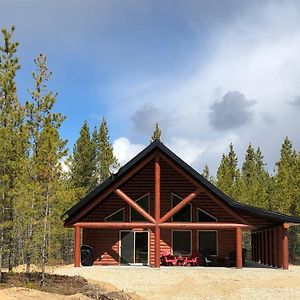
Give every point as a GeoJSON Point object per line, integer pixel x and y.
{"type": "Point", "coordinates": [13, 143]}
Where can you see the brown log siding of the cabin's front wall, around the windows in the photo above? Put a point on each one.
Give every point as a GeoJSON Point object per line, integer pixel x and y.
{"type": "Point", "coordinates": [105, 243]}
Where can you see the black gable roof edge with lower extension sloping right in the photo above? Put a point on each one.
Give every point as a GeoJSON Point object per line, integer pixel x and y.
{"type": "Point", "coordinates": [157, 145]}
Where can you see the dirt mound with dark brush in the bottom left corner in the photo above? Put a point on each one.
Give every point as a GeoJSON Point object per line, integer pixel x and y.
{"type": "Point", "coordinates": [16, 285]}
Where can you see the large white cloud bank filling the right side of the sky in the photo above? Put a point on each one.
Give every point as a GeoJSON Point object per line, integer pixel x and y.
{"type": "Point", "coordinates": [256, 53]}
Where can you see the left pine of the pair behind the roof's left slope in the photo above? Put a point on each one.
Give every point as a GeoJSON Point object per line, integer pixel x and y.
{"type": "Point", "coordinates": [83, 166]}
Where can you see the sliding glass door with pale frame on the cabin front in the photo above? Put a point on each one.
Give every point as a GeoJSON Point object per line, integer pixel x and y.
{"type": "Point", "coordinates": [134, 247]}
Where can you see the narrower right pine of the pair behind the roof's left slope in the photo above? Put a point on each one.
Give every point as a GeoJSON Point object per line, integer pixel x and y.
{"type": "Point", "coordinates": [105, 155]}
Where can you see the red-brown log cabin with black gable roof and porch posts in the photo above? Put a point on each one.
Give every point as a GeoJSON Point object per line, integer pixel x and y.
{"type": "Point", "coordinates": [157, 202]}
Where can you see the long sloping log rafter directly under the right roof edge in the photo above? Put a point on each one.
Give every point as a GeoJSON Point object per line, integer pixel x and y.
{"type": "Point", "coordinates": [204, 189]}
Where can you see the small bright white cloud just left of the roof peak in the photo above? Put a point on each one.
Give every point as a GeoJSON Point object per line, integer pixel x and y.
{"type": "Point", "coordinates": [124, 150]}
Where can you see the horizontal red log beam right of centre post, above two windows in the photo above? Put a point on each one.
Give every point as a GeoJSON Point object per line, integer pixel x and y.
{"type": "Point", "coordinates": [204, 225]}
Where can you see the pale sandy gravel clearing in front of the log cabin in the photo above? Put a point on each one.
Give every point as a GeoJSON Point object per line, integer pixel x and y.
{"type": "Point", "coordinates": [197, 282]}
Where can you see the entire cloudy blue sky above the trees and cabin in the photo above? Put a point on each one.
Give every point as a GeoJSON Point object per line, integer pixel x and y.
{"type": "Point", "coordinates": [210, 72]}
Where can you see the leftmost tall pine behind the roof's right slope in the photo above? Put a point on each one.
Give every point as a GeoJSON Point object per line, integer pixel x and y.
{"type": "Point", "coordinates": [228, 175]}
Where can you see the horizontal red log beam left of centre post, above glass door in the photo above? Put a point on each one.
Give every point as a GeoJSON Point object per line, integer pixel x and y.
{"type": "Point", "coordinates": [115, 225]}
